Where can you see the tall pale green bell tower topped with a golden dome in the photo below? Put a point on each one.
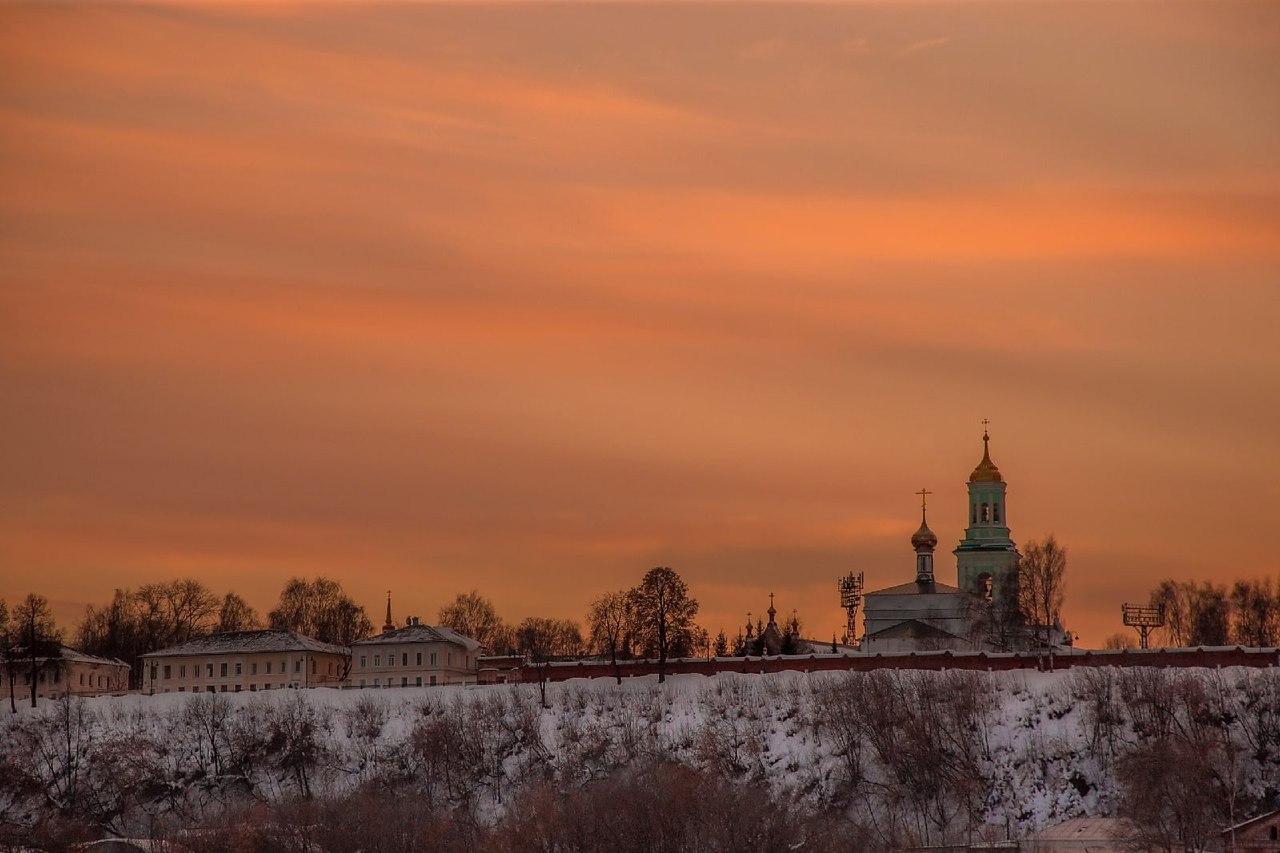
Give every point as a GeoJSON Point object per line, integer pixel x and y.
{"type": "Point", "coordinates": [986, 559]}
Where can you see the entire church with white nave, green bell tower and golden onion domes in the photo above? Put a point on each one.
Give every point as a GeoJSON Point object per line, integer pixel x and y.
{"type": "Point", "coordinates": [926, 614]}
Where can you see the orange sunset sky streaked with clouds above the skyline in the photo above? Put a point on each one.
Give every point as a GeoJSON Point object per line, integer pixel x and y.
{"type": "Point", "coordinates": [531, 299]}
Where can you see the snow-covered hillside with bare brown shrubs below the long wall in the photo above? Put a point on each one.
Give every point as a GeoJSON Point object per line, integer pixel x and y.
{"type": "Point", "coordinates": [899, 758]}
